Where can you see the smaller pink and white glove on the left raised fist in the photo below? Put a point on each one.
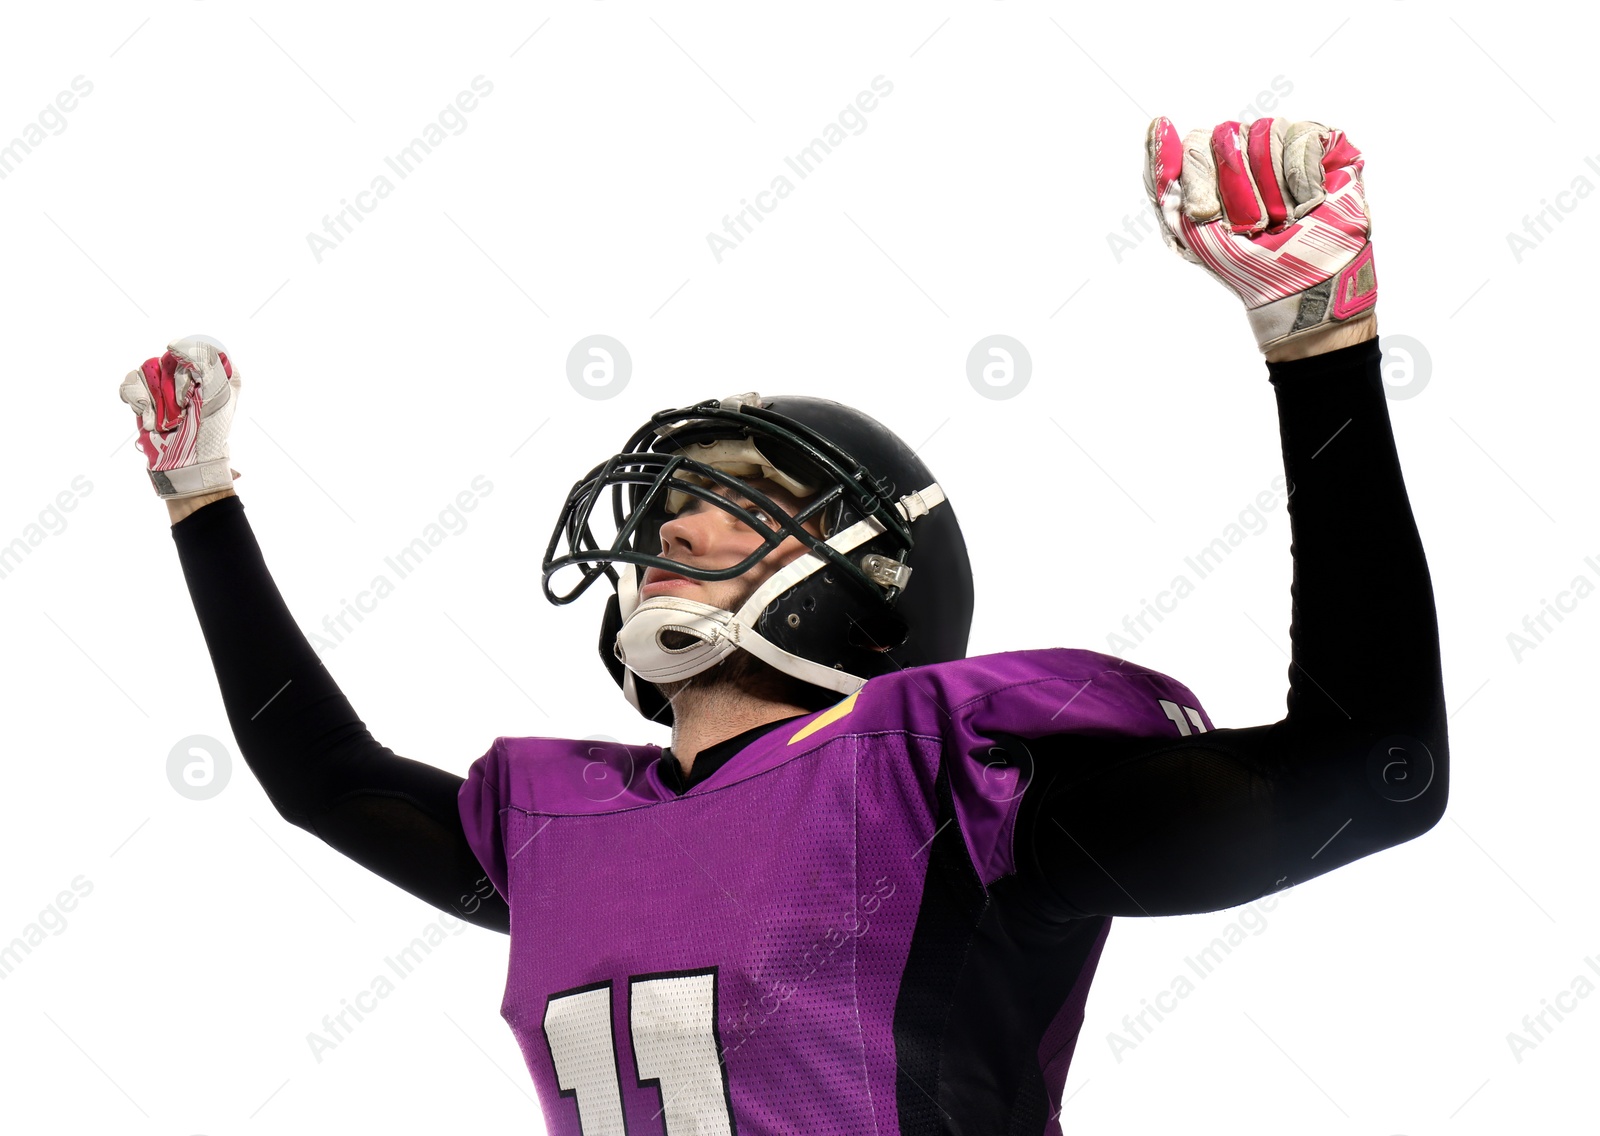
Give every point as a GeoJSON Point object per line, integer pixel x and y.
{"type": "Point", "coordinates": [185, 404]}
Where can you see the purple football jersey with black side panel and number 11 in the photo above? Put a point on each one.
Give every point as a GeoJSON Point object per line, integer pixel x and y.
{"type": "Point", "coordinates": [783, 946]}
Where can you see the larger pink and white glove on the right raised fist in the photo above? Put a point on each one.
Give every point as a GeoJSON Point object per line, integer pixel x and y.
{"type": "Point", "coordinates": [1276, 212]}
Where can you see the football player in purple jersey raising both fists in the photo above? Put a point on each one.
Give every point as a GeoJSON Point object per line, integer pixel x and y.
{"type": "Point", "coordinates": [866, 886]}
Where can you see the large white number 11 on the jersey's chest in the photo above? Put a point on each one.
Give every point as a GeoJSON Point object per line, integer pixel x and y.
{"type": "Point", "coordinates": [673, 1020]}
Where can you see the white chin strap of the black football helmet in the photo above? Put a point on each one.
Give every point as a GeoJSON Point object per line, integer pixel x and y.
{"type": "Point", "coordinates": [719, 631]}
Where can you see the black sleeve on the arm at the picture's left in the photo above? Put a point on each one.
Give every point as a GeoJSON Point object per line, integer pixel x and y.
{"type": "Point", "coordinates": [316, 761]}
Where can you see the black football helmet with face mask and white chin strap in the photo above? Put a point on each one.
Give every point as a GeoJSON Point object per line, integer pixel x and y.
{"type": "Point", "coordinates": [839, 614]}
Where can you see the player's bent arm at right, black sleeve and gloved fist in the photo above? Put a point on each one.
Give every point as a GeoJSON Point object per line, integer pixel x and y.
{"type": "Point", "coordinates": [1138, 826]}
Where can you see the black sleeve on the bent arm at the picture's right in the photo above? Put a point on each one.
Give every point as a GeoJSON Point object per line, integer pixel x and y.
{"type": "Point", "coordinates": [1135, 826]}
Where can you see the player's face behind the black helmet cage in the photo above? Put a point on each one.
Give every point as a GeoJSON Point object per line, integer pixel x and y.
{"type": "Point", "coordinates": [705, 537]}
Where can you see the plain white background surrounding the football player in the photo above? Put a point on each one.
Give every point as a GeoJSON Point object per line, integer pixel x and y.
{"type": "Point", "coordinates": [430, 345]}
